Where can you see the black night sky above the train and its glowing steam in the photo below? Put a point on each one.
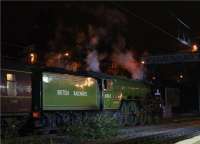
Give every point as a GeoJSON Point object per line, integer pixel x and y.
{"type": "Point", "coordinates": [43, 23]}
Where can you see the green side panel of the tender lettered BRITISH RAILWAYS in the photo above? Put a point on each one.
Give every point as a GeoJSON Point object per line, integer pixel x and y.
{"type": "Point", "coordinates": [69, 92]}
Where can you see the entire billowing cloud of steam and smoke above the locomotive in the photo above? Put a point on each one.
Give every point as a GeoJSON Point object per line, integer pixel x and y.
{"type": "Point", "coordinates": [102, 40]}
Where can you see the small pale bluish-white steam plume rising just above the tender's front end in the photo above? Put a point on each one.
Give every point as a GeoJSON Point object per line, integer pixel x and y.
{"type": "Point", "coordinates": [93, 61]}
